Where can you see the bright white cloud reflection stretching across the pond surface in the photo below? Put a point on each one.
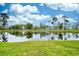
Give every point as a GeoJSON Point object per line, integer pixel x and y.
{"type": "Point", "coordinates": [52, 36]}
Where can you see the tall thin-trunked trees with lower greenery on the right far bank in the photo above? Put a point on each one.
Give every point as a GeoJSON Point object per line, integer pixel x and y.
{"type": "Point", "coordinates": [63, 25]}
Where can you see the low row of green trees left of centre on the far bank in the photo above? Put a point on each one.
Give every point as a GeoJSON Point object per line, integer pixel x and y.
{"type": "Point", "coordinates": [29, 26]}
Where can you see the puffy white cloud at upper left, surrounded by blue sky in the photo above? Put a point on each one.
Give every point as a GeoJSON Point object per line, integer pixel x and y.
{"type": "Point", "coordinates": [18, 8]}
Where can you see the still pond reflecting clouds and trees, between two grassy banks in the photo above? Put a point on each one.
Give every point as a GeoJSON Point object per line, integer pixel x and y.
{"type": "Point", "coordinates": [21, 37]}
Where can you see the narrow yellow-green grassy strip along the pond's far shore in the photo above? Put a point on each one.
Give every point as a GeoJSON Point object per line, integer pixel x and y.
{"type": "Point", "coordinates": [62, 31]}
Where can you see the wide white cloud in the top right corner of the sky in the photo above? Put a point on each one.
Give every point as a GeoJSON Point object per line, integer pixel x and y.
{"type": "Point", "coordinates": [64, 6]}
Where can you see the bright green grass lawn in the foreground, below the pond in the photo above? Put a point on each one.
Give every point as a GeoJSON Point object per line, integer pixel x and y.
{"type": "Point", "coordinates": [40, 48]}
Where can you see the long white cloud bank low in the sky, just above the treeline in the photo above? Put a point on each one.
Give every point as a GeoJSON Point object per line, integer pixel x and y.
{"type": "Point", "coordinates": [33, 19]}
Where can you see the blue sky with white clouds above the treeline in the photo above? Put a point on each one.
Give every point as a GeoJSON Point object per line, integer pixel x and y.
{"type": "Point", "coordinates": [36, 13]}
